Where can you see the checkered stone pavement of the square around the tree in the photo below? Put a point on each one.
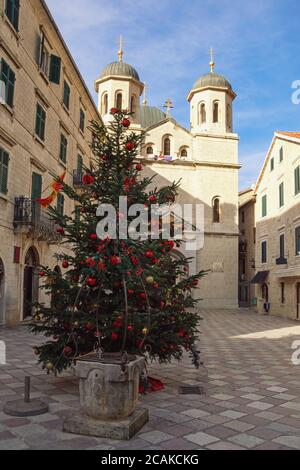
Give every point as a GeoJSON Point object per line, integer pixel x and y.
{"type": "Point", "coordinates": [251, 394]}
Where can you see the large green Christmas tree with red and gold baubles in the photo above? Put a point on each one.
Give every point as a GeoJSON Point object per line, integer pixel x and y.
{"type": "Point", "coordinates": [123, 295]}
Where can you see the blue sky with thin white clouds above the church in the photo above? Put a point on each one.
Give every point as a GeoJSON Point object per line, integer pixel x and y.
{"type": "Point", "coordinates": [167, 41]}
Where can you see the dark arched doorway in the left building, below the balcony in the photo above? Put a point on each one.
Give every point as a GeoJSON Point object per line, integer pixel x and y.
{"type": "Point", "coordinates": [31, 282]}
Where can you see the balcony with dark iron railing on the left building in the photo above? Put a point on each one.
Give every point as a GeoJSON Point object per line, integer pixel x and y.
{"type": "Point", "coordinates": [31, 219]}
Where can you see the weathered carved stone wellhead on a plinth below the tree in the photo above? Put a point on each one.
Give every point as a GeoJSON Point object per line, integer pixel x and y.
{"type": "Point", "coordinates": [108, 399]}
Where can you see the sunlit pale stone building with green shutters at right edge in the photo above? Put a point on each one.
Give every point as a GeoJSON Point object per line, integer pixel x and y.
{"type": "Point", "coordinates": [277, 279]}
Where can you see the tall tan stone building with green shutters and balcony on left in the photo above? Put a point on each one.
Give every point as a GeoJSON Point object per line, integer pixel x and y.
{"type": "Point", "coordinates": [44, 113]}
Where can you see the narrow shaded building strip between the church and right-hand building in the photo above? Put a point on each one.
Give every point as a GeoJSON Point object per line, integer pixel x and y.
{"type": "Point", "coordinates": [247, 247]}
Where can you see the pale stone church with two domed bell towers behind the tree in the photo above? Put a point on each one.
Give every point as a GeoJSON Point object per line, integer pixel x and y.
{"type": "Point", "coordinates": [204, 158]}
